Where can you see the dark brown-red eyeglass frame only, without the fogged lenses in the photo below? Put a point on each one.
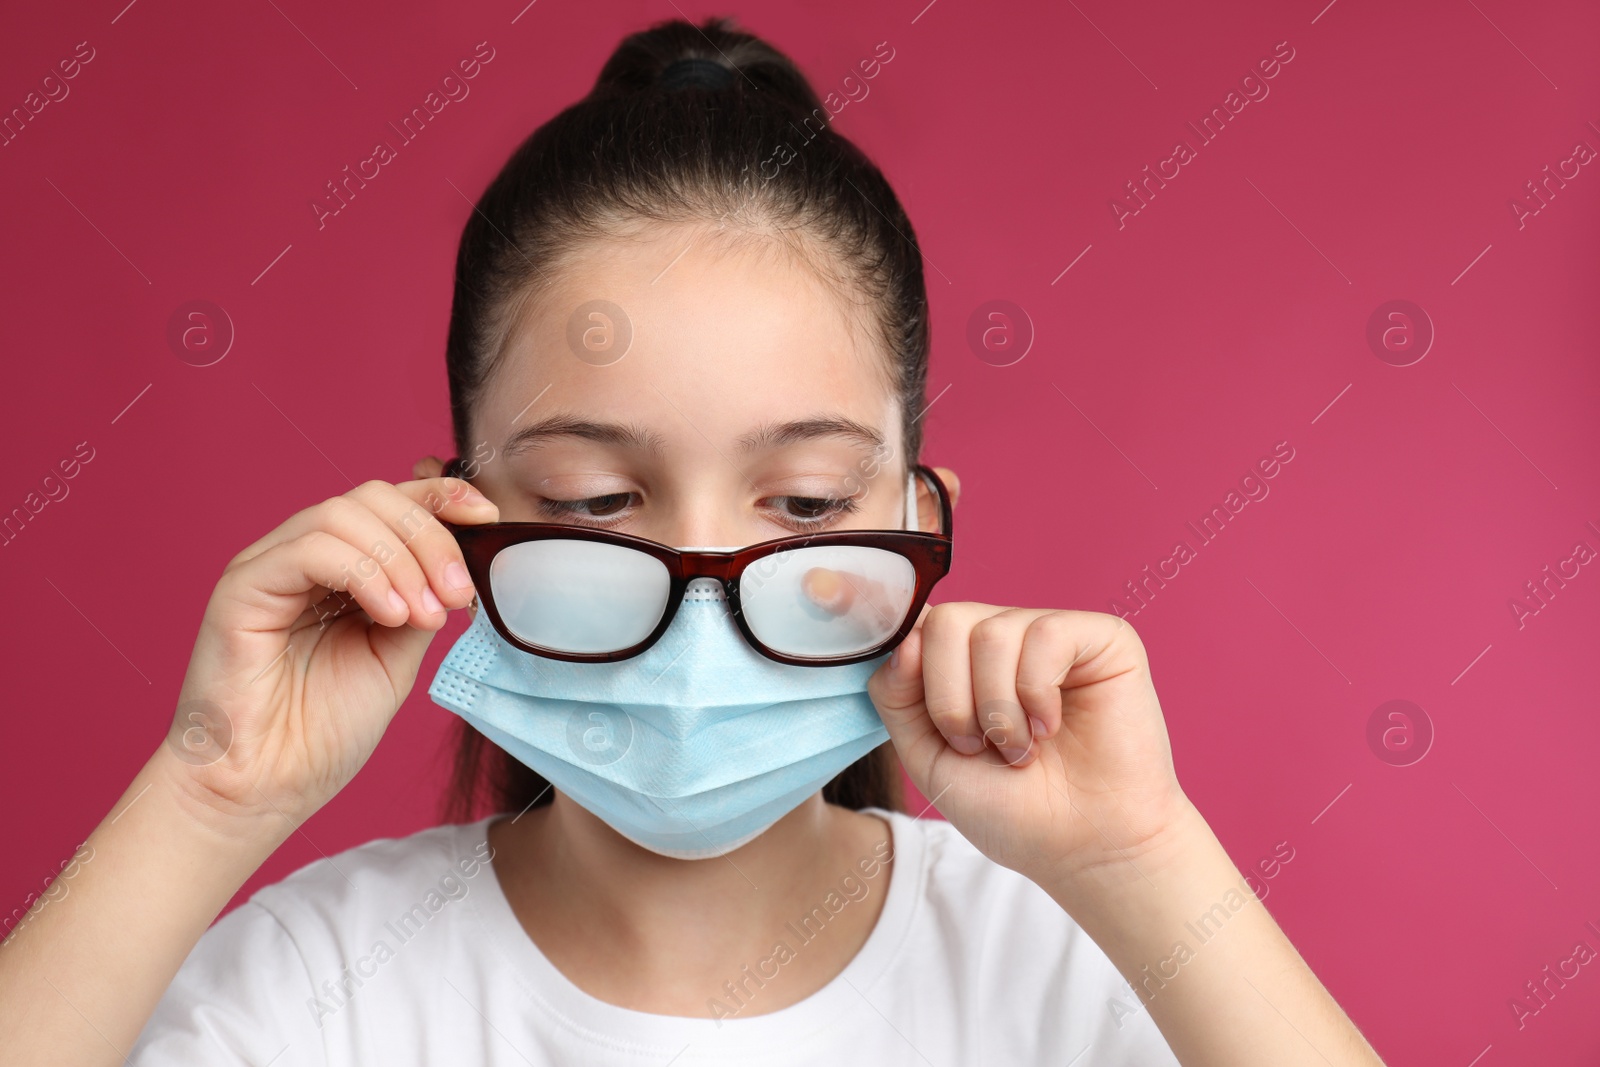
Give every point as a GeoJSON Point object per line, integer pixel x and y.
{"type": "Point", "coordinates": [927, 553]}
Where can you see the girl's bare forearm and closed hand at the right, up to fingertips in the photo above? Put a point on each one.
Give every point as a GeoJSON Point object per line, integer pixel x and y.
{"type": "Point", "coordinates": [1041, 740]}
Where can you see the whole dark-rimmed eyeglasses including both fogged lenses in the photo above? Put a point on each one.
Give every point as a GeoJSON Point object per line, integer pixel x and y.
{"type": "Point", "coordinates": [593, 596]}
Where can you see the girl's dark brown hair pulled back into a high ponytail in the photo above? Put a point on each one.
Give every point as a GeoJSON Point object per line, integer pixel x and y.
{"type": "Point", "coordinates": [745, 145]}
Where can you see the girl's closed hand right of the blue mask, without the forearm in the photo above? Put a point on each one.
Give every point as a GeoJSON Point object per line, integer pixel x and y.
{"type": "Point", "coordinates": [1036, 733]}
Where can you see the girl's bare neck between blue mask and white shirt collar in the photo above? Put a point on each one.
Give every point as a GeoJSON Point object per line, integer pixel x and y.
{"type": "Point", "coordinates": [663, 935]}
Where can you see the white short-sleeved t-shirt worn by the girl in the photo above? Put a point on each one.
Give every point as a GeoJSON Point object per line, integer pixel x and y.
{"type": "Point", "coordinates": [407, 953]}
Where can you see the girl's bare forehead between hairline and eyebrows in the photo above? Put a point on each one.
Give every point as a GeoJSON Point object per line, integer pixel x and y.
{"type": "Point", "coordinates": [692, 332]}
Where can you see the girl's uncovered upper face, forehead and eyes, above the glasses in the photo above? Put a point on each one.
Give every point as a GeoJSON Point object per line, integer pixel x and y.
{"type": "Point", "coordinates": [751, 404]}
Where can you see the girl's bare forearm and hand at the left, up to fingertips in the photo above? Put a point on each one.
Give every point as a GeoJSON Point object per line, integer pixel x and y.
{"type": "Point", "coordinates": [287, 695]}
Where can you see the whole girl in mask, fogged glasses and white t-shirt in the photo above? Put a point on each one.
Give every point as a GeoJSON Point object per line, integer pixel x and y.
{"type": "Point", "coordinates": [687, 359]}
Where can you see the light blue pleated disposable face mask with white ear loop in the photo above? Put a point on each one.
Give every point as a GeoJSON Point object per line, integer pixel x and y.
{"type": "Point", "coordinates": [690, 749]}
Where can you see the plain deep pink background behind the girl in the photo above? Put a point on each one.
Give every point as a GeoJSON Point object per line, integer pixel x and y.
{"type": "Point", "coordinates": [1223, 319]}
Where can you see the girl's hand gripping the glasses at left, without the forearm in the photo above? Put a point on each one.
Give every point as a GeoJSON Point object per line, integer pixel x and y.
{"type": "Point", "coordinates": [310, 645]}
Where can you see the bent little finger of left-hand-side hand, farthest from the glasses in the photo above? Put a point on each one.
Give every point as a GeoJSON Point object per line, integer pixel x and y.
{"type": "Point", "coordinates": [271, 591]}
